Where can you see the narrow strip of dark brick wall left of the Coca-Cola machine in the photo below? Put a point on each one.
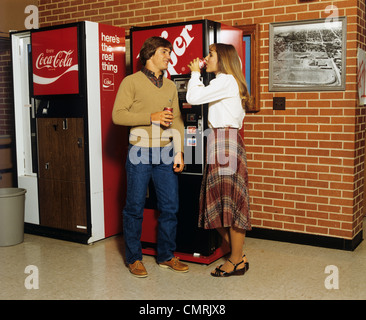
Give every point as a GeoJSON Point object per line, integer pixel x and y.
{"type": "Point", "coordinates": [6, 90]}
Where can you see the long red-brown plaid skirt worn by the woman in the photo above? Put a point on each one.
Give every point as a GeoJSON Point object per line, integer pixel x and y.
{"type": "Point", "coordinates": [224, 195]}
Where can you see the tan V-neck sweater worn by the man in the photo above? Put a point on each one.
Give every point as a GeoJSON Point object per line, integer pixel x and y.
{"type": "Point", "coordinates": [137, 98]}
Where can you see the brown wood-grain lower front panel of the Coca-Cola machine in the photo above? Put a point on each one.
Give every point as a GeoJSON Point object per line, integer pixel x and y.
{"type": "Point", "coordinates": [61, 160]}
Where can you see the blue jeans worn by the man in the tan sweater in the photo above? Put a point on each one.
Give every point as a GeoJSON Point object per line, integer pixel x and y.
{"type": "Point", "coordinates": [141, 165]}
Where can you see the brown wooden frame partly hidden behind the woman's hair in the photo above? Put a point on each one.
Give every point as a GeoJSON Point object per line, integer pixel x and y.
{"type": "Point", "coordinates": [251, 47]}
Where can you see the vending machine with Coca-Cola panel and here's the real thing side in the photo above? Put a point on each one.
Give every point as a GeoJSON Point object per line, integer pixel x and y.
{"type": "Point", "coordinates": [70, 156]}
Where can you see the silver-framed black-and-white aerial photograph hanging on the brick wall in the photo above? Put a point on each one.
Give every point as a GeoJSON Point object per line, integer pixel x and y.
{"type": "Point", "coordinates": [308, 55]}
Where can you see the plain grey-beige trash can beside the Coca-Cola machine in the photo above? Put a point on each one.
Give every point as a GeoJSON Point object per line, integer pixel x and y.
{"type": "Point", "coordinates": [12, 201]}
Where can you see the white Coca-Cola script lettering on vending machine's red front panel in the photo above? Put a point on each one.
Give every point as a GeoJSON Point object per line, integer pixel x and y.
{"type": "Point", "coordinates": [62, 59]}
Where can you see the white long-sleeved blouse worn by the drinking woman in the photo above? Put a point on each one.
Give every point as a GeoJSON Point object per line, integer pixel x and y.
{"type": "Point", "coordinates": [222, 95]}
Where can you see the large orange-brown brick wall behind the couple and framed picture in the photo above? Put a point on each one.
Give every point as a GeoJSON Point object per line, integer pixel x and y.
{"type": "Point", "coordinates": [307, 162]}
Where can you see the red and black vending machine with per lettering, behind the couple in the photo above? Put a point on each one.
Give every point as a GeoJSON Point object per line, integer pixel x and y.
{"type": "Point", "coordinates": [190, 40]}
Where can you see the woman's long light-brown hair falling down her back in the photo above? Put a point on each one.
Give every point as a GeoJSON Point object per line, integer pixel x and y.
{"type": "Point", "coordinates": [229, 62]}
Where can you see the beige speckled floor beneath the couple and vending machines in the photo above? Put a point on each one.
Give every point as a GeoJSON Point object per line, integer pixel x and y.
{"type": "Point", "coordinates": [278, 270]}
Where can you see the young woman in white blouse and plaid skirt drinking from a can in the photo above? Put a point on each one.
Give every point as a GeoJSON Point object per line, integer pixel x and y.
{"type": "Point", "coordinates": [224, 198]}
